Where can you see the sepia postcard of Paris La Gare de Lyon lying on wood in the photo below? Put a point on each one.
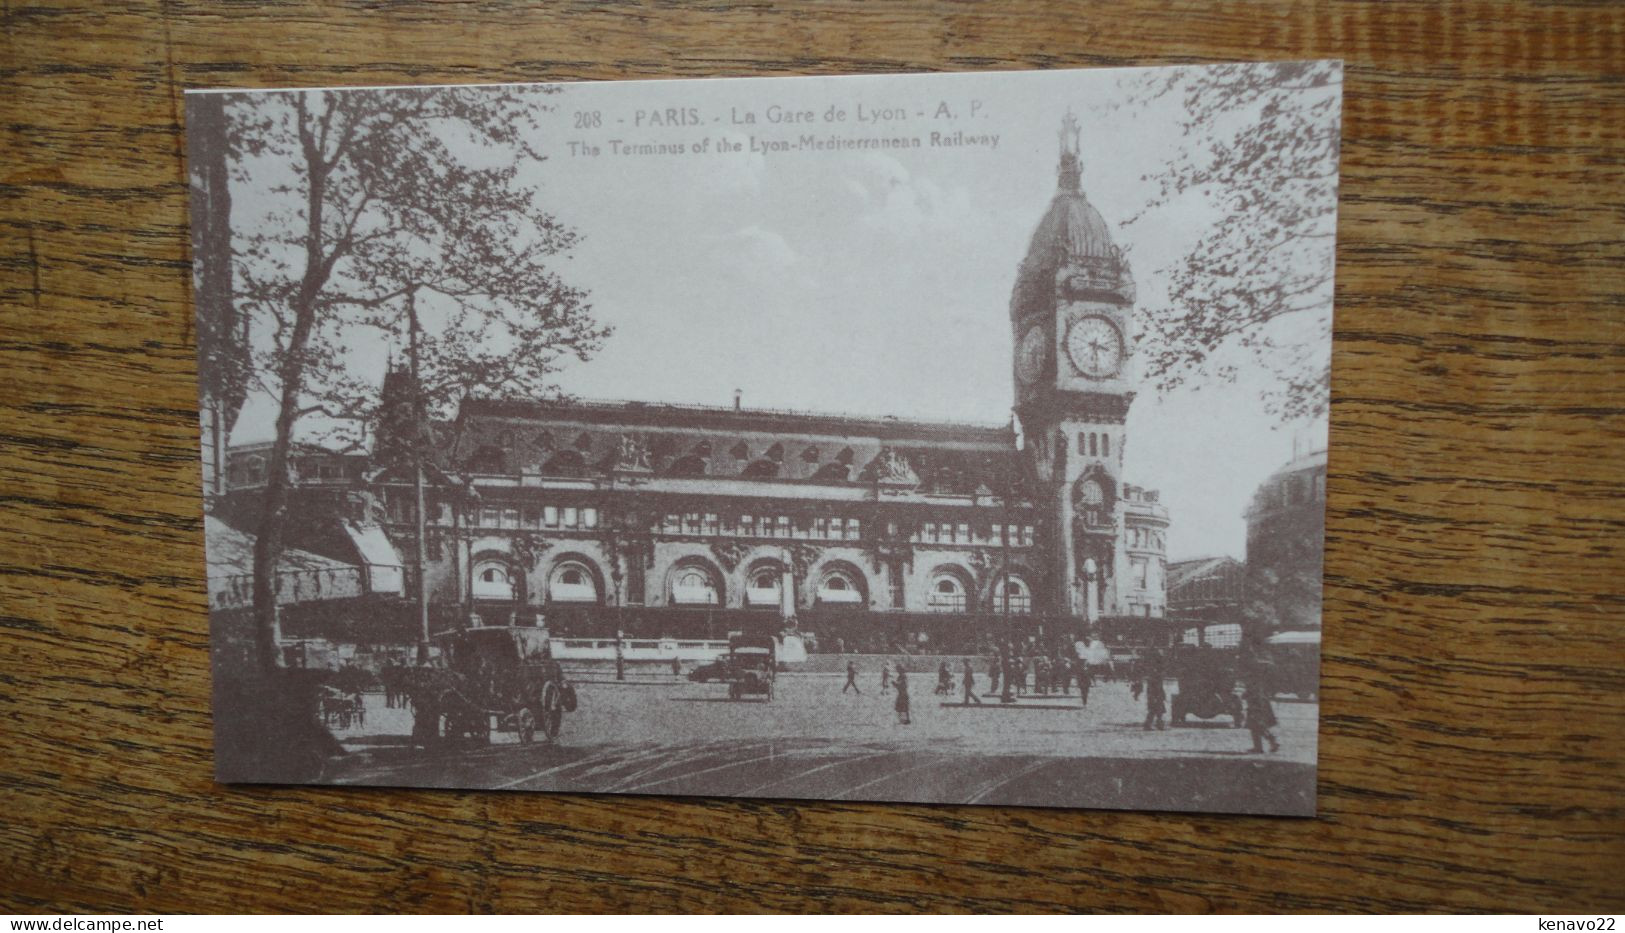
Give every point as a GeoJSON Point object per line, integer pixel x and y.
{"type": "Point", "coordinates": [911, 438]}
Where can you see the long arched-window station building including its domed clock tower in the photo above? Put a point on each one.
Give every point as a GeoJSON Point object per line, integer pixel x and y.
{"type": "Point", "coordinates": [602, 518]}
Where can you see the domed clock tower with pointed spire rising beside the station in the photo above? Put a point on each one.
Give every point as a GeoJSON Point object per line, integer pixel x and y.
{"type": "Point", "coordinates": [1073, 321]}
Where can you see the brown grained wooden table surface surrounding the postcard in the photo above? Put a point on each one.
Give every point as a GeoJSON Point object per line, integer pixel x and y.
{"type": "Point", "coordinates": [1473, 727]}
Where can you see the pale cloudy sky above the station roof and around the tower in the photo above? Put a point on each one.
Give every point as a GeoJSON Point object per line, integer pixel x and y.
{"type": "Point", "coordinates": [867, 282]}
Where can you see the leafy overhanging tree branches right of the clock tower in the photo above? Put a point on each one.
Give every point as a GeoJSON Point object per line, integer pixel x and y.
{"type": "Point", "coordinates": [1260, 147]}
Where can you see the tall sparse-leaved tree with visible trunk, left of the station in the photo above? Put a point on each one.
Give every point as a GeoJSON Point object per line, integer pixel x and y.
{"type": "Point", "coordinates": [404, 212]}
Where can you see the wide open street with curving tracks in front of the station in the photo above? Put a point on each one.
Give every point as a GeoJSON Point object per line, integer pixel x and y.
{"type": "Point", "coordinates": [656, 734]}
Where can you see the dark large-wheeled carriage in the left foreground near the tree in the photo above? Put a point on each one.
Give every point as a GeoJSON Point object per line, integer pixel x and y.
{"type": "Point", "coordinates": [496, 679]}
